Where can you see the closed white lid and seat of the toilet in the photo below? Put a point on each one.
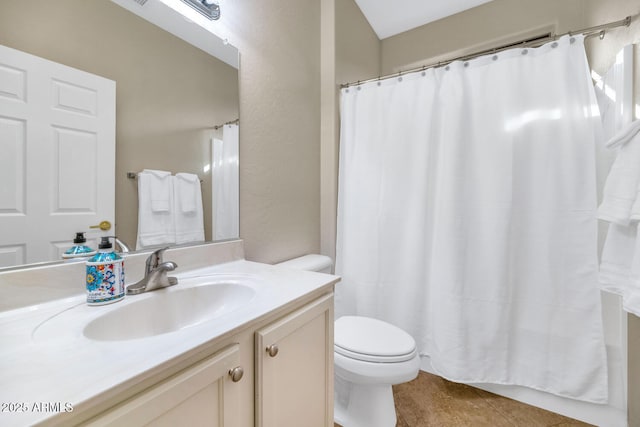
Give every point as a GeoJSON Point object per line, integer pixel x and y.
{"type": "Point", "coordinates": [372, 340]}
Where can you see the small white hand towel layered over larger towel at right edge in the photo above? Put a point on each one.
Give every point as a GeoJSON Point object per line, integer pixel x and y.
{"type": "Point", "coordinates": [621, 187]}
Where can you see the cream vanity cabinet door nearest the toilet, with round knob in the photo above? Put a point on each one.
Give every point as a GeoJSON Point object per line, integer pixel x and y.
{"type": "Point", "coordinates": [294, 368]}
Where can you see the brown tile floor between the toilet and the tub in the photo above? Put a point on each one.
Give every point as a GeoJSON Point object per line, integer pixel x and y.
{"type": "Point", "coordinates": [431, 401]}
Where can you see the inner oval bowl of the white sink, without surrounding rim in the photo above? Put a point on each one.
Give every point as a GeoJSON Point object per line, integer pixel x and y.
{"type": "Point", "coordinates": [168, 310]}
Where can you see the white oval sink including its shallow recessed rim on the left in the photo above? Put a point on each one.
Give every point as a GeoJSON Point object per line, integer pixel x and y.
{"type": "Point", "coordinates": [191, 302]}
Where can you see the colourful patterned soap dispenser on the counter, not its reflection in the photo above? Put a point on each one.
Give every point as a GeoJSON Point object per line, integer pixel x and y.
{"type": "Point", "coordinates": [105, 275]}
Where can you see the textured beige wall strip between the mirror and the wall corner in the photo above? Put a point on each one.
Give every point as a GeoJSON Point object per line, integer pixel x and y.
{"type": "Point", "coordinates": [279, 43]}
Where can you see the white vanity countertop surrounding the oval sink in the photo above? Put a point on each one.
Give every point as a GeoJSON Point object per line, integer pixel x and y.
{"type": "Point", "coordinates": [47, 365]}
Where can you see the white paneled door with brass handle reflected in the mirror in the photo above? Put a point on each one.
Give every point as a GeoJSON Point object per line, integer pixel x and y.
{"type": "Point", "coordinates": [57, 156]}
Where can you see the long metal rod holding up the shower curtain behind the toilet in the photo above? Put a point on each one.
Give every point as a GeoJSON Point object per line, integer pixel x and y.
{"type": "Point", "coordinates": [598, 30]}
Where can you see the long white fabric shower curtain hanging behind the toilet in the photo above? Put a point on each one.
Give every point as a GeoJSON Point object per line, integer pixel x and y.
{"type": "Point", "coordinates": [466, 215]}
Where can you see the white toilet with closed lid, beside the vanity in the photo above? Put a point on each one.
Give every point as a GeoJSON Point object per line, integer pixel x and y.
{"type": "Point", "coordinates": [369, 357]}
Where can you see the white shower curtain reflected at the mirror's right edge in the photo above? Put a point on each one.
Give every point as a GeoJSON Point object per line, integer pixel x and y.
{"type": "Point", "coordinates": [225, 184]}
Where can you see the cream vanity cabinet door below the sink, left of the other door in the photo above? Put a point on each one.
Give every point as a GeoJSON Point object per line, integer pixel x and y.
{"type": "Point", "coordinates": [205, 394]}
